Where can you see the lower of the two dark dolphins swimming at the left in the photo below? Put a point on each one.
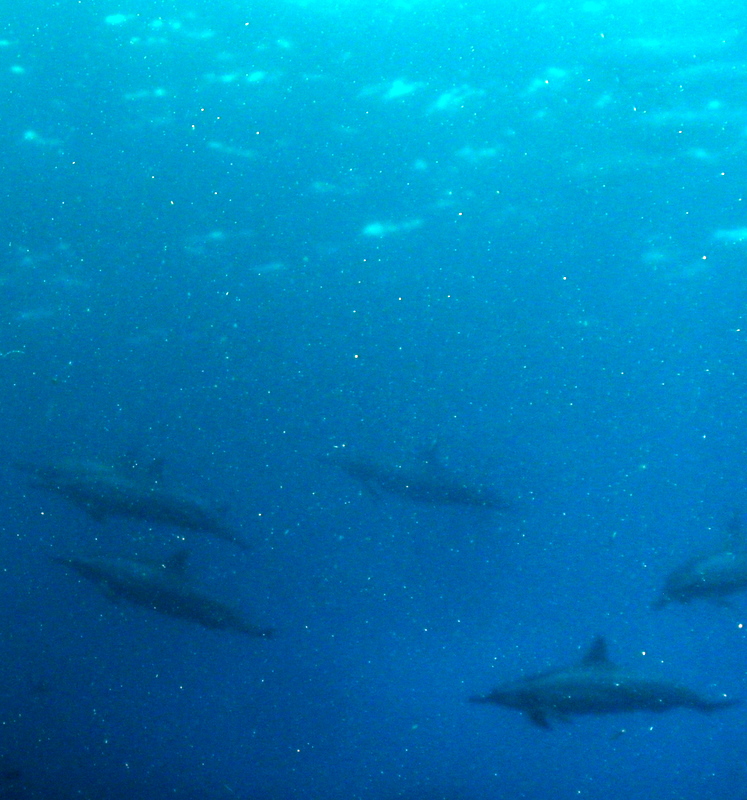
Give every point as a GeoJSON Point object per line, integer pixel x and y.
{"type": "Point", "coordinates": [162, 586]}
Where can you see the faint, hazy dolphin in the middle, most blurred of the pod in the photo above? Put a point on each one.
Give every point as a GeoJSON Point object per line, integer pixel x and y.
{"type": "Point", "coordinates": [423, 480]}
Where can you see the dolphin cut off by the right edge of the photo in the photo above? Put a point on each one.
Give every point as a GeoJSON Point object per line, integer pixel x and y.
{"type": "Point", "coordinates": [710, 577]}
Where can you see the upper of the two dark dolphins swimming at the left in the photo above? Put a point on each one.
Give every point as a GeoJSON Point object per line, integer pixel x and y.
{"type": "Point", "coordinates": [129, 490]}
